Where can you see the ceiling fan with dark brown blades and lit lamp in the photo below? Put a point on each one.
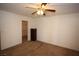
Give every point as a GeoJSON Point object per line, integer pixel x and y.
{"type": "Point", "coordinates": [42, 9]}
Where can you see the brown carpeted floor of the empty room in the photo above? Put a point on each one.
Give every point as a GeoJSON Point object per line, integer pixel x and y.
{"type": "Point", "coordinates": [36, 48]}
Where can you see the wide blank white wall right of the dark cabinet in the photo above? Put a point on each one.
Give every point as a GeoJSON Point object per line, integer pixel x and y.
{"type": "Point", "coordinates": [61, 30]}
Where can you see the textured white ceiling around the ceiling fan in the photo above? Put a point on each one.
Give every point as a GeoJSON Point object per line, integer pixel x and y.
{"type": "Point", "coordinates": [19, 8]}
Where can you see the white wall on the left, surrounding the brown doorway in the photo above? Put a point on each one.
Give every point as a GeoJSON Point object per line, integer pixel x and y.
{"type": "Point", "coordinates": [10, 28]}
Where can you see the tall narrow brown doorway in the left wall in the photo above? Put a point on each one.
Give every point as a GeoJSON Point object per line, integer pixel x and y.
{"type": "Point", "coordinates": [24, 31]}
